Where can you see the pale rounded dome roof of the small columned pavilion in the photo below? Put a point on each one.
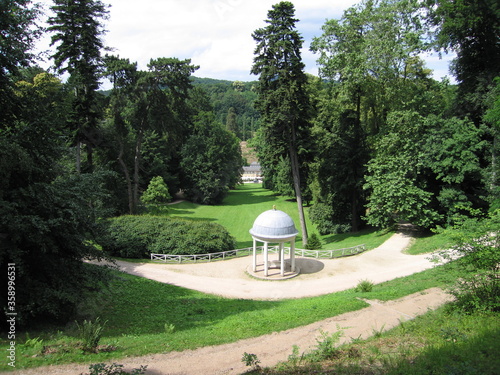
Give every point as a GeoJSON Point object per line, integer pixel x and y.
{"type": "Point", "coordinates": [273, 225]}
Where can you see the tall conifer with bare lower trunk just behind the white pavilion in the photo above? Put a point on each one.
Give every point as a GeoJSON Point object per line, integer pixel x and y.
{"type": "Point", "coordinates": [283, 101]}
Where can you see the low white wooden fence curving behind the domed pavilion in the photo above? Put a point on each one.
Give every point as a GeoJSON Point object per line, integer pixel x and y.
{"type": "Point", "coordinates": [323, 254]}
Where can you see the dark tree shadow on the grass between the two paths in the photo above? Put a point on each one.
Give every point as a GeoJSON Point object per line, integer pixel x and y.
{"type": "Point", "coordinates": [139, 306]}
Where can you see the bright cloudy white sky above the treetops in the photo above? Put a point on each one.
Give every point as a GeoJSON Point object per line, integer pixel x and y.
{"type": "Point", "coordinates": [214, 34]}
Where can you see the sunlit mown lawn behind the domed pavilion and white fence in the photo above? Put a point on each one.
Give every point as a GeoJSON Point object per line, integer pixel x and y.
{"type": "Point", "coordinates": [242, 206]}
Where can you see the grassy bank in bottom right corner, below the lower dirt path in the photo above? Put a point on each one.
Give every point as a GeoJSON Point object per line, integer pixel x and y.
{"type": "Point", "coordinates": [445, 341]}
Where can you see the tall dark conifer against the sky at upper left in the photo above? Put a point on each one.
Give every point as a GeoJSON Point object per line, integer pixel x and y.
{"type": "Point", "coordinates": [77, 27]}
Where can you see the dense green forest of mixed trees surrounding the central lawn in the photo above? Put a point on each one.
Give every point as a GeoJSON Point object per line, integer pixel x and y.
{"type": "Point", "coordinates": [374, 140]}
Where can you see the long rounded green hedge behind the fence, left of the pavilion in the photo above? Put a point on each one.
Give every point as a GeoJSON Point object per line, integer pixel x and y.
{"type": "Point", "coordinates": [139, 236]}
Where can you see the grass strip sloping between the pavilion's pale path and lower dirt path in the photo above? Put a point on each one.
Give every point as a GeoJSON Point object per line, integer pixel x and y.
{"type": "Point", "coordinates": [144, 316]}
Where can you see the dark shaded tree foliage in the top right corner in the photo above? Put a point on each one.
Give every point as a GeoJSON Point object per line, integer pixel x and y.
{"type": "Point", "coordinates": [471, 29]}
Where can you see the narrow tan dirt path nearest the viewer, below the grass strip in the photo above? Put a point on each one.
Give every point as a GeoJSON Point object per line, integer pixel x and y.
{"type": "Point", "coordinates": [274, 347]}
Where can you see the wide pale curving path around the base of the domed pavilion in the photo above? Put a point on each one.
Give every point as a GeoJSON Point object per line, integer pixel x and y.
{"type": "Point", "coordinates": [229, 278]}
